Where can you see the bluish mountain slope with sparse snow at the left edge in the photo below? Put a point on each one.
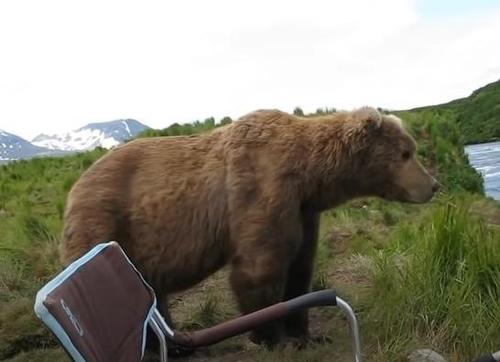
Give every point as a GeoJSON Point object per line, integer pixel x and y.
{"type": "Point", "coordinates": [13, 148]}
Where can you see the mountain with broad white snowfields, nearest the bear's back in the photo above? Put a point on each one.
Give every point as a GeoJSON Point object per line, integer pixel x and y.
{"type": "Point", "coordinates": [105, 134]}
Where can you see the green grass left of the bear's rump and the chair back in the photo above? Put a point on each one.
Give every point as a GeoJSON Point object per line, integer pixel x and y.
{"type": "Point", "coordinates": [32, 198]}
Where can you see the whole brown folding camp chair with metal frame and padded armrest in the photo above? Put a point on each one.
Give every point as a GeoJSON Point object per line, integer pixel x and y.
{"type": "Point", "coordinates": [99, 308]}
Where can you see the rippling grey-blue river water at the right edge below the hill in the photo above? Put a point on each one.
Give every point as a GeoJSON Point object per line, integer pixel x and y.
{"type": "Point", "coordinates": [485, 158]}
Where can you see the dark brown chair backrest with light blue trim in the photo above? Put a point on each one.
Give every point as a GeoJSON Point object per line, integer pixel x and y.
{"type": "Point", "coordinates": [99, 306]}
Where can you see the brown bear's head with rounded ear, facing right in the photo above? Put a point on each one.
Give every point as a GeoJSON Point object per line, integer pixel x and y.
{"type": "Point", "coordinates": [386, 163]}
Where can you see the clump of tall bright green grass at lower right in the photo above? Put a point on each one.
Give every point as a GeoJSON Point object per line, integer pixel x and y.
{"type": "Point", "coordinates": [438, 282]}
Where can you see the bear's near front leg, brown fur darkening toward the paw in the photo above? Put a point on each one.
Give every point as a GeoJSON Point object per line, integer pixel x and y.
{"type": "Point", "coordinates": [265, 234]}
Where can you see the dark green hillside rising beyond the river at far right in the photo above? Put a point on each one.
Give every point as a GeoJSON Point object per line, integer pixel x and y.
{"type": "Point", "coordinates": [478, 115]}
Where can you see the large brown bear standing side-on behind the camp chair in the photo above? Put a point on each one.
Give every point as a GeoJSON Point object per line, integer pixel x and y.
{"type": "Point", "coordinates": [248, 194]}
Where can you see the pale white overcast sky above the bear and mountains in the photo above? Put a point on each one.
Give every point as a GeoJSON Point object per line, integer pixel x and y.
{"type": "Point", "coordinates": [65, 63]}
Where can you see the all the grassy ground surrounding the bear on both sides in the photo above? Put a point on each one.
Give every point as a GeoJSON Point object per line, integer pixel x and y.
{"type": "Point", "coordinates": [418, 275]}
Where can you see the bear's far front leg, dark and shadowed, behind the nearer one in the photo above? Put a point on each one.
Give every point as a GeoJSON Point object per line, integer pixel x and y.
{"type": "Point", "coordinates": [300, 275]}
